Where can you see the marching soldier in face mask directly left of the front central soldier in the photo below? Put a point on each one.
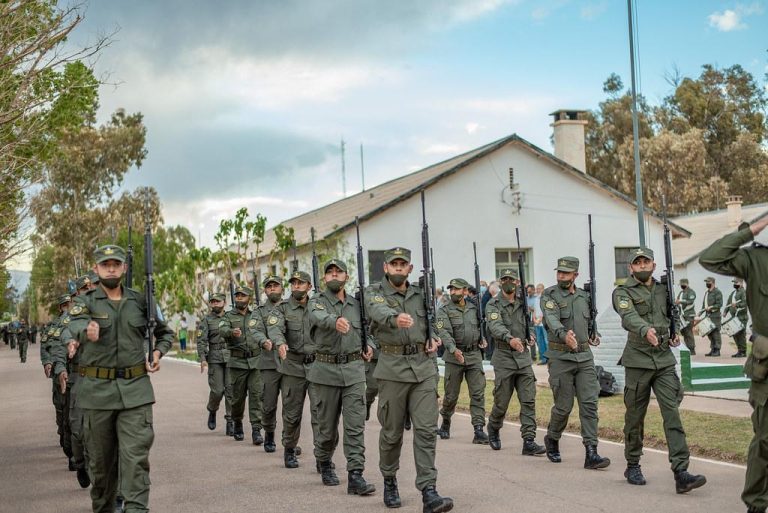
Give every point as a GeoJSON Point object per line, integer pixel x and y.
{"type": "Point", "coordinates": [338, 377]}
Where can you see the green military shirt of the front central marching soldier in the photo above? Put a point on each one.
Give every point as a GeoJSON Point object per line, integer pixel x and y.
{"type": "Point", "coordinates": [385, 303]}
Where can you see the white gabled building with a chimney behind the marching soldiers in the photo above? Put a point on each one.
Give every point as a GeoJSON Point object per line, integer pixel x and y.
{"type": "Point", "coordinates": [482, 196]}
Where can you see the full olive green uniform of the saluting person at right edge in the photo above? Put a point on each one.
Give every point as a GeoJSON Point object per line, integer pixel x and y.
{"type": "Point", "coordinates": [726, 256]}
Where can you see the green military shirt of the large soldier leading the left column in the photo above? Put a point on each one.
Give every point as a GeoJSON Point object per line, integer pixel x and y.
{"type": "Point", "coordinates": [121, 345]}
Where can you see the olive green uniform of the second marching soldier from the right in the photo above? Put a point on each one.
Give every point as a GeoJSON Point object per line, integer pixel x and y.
{"type": "Point", "coordinates": [571, 372]}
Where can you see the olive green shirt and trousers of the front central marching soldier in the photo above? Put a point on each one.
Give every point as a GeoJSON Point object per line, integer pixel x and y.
{"type": "Point", "coordinates": [407, 378]}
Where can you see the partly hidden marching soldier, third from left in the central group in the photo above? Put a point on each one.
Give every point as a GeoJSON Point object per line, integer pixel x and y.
{"type": "Point", "coordinates": [270, 375]}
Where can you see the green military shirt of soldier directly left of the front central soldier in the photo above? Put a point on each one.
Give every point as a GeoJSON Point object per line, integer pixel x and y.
{"type": "Point", "coordinates": [324, 310]}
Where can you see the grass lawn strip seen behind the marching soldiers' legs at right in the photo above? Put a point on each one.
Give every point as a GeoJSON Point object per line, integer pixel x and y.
{"type": "Point", "coordinates": [709, 435]}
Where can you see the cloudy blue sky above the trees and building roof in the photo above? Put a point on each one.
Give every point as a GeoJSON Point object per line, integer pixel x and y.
{"type": "Point", "coordinates": [246, 101]}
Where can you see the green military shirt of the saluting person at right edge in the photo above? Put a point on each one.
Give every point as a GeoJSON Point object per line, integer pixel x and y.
{"type": "Point", "coordinates": [726, 256]}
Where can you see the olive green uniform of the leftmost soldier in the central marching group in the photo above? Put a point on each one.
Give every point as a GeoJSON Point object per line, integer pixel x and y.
{"type": "Point", "coordinates": [212, 348]}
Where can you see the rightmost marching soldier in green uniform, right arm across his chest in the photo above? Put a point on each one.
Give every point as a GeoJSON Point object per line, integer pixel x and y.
{"type": "Point", "coordinates": [650, 365]}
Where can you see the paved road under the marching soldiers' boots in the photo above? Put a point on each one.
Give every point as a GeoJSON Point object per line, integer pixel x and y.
{"type": "Point", "coordinates": [194, 470]}
